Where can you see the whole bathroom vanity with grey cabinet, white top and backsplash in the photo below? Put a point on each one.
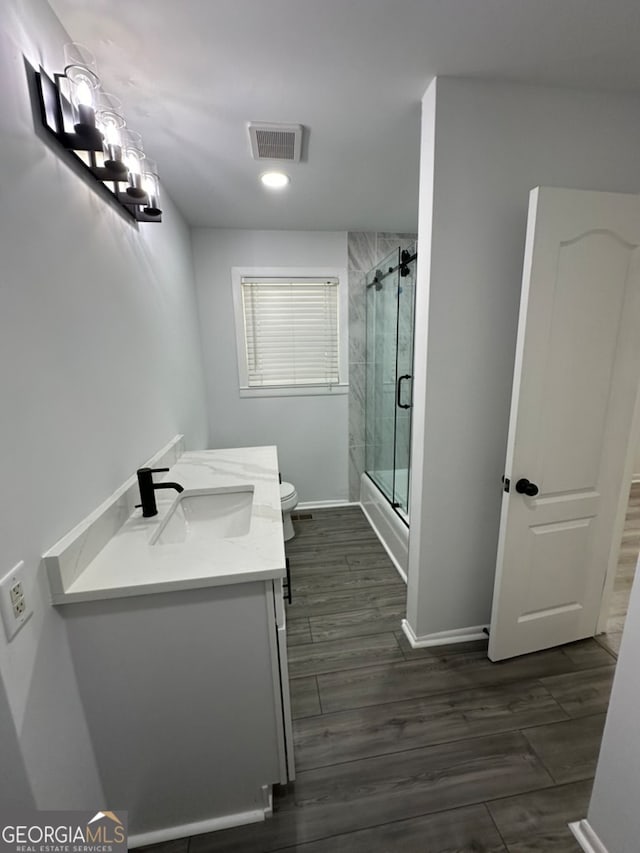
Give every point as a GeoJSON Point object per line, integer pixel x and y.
{"type": "Point", "coordinates": [178, 635]}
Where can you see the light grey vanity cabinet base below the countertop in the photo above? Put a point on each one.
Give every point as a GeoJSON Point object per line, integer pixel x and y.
{"type": "Point", "coordinates": [187, 701]}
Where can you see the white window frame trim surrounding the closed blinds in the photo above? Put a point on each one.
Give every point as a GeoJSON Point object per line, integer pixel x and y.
{"type": "Point", "coordinates": [293, 273]}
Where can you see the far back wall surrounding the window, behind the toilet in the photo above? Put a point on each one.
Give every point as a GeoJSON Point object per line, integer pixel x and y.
{"type": "Point", "coordinates": [311, 432]}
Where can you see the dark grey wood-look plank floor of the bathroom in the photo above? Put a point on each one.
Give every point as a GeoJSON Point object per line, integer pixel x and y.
{"type": "Point", "coordinates": [430, 751]}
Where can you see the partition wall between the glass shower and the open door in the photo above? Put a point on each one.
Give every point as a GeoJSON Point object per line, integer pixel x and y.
{"type": "Point", "coordinates": [494, 142]}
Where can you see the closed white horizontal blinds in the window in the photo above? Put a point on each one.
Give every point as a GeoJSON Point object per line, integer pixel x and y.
{"type": "Point", "coordinates": [291, 331]}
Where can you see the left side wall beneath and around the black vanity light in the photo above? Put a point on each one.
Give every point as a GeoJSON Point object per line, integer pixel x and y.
{"type": "Point", "coordinates": [99, 367]}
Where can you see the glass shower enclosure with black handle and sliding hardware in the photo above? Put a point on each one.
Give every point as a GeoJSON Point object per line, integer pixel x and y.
{"type": "Point", "coordinates": [389, 373]}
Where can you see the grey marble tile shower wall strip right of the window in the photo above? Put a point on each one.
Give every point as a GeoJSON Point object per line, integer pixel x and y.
{"type": "Point", "coordinates": [365, 250]}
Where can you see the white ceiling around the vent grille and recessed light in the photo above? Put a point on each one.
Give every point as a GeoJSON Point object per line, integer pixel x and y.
{"type": "Point", "coordinates": [193, 73]}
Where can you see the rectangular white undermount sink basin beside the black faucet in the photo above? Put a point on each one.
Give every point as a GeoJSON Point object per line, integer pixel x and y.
{"type": "Point", "coordinates": [223, 513]}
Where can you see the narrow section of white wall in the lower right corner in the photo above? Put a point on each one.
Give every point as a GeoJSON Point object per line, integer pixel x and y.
{"type": "Point", "coordinates": [613, 812]}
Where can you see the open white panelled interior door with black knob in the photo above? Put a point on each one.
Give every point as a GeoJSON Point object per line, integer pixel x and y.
{"type": "Point", "coordinates": [572, 411]}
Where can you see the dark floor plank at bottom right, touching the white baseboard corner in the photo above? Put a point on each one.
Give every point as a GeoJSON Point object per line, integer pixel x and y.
{"type": "Point", "coordinates": [537, 822]}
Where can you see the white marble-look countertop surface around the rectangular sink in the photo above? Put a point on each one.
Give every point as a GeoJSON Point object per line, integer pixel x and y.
{"type": "Point", "coordinates": [128, 565]}
